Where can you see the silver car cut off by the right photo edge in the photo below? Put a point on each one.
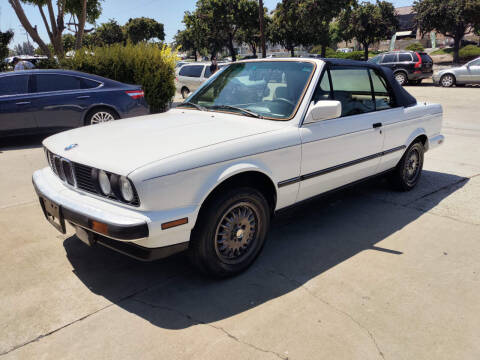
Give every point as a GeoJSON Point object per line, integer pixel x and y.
{"type": "Point", "coordinates": [459, 76]}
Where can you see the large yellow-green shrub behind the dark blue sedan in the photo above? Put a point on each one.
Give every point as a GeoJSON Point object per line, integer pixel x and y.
{"type": "Point", "coordinates": [142, 64]}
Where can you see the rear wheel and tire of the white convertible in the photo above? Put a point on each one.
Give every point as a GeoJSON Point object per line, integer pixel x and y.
{"type": "Point", "coordinates": [409, 170]}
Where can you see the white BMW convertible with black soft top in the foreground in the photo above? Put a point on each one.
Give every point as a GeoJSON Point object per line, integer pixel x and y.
{"type": "Point", "coordinates": [208, 175]}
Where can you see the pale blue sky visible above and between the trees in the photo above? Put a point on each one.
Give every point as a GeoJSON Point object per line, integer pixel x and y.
{"type": "Point", "coordinates": [168, 12]}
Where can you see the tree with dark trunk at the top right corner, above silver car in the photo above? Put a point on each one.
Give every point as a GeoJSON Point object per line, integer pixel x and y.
{"type": "Point", "coordinates": [452, 18]}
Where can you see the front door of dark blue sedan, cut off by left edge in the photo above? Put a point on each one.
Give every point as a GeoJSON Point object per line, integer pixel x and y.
{"type": "Point", "coordinates": [16, 110]}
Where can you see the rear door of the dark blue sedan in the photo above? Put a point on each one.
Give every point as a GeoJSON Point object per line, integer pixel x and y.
{"type": "Point", "coordinates": [59, 101]}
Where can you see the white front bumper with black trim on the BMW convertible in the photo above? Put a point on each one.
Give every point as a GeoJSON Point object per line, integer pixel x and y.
{"type": "Point", "coordinates": [125, 230]}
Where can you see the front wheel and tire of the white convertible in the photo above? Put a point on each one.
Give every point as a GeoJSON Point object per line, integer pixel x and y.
{"type": "Point", "coordinates": [230, 232]}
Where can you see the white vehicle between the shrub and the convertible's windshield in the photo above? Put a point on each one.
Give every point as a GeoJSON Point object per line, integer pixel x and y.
{"type": "Point", "coordinates": [191, 76]}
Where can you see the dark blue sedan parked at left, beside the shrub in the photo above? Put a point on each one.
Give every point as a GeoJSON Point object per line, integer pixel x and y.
{"type": "Point", "coordinates": [40, 101]}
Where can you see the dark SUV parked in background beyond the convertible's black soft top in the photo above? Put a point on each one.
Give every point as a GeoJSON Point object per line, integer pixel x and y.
{"type": "Point", "coordinates": [408, 66]}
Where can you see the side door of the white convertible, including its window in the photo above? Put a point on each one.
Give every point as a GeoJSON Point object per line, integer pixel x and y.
{"type": "Point", "coordinates": [340, 151]}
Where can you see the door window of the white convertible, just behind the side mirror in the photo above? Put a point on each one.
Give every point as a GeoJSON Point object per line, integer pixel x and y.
{"type": "Point", "coordinates": [351, 86]}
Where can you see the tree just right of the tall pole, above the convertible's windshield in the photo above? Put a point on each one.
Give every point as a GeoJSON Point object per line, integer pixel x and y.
{"type": "Point", "coordinates": [288, 25]}
